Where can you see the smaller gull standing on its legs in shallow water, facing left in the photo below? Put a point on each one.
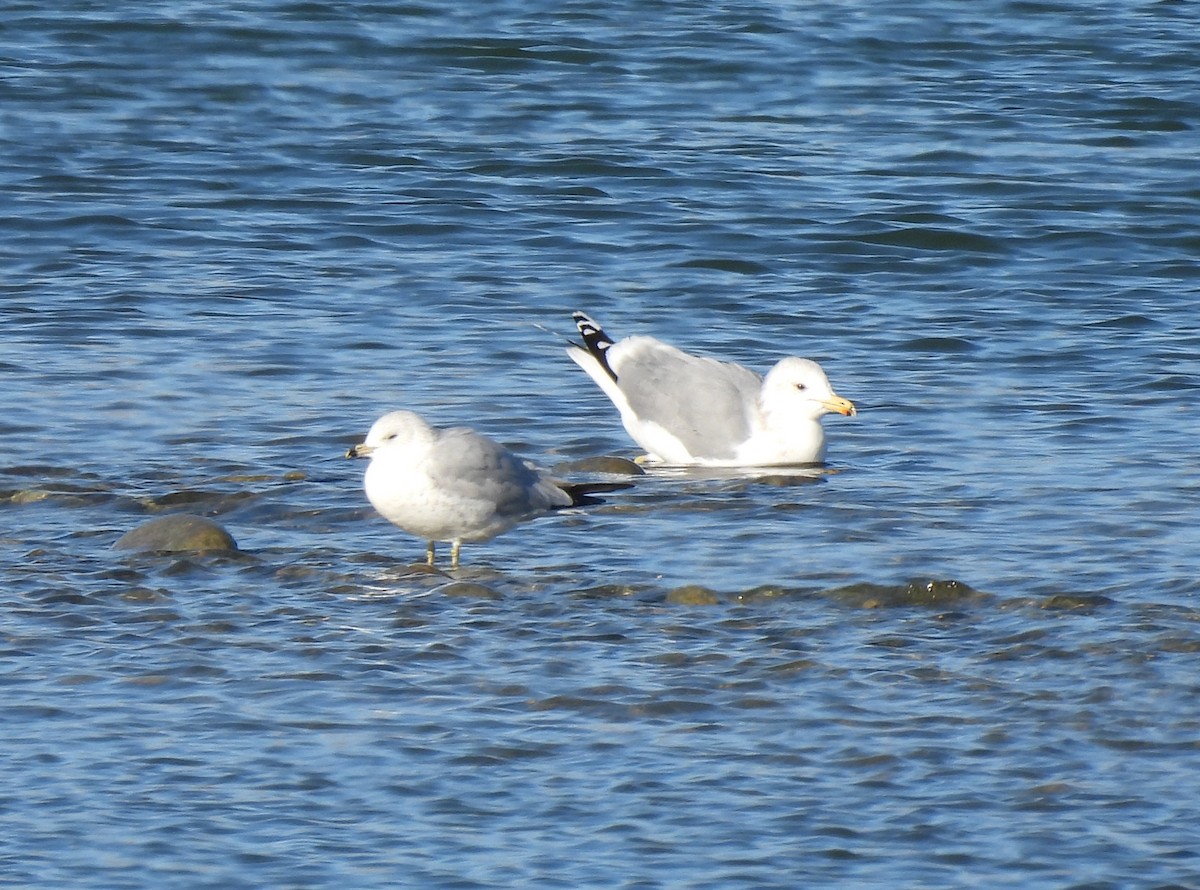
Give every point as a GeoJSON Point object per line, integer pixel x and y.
{"type": "Point", "coordinates": [455, 485]}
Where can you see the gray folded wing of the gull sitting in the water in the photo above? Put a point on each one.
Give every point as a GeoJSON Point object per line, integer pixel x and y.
{"type": "Point", "coordinates": [705, 404]}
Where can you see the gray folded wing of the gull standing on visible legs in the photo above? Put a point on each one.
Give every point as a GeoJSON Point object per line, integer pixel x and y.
{"type": "Point", "coordinates": [473, 467]}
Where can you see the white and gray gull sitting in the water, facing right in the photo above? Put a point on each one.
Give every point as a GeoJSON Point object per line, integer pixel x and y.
{"type": "Point", "coordinates": [688, 410]}
